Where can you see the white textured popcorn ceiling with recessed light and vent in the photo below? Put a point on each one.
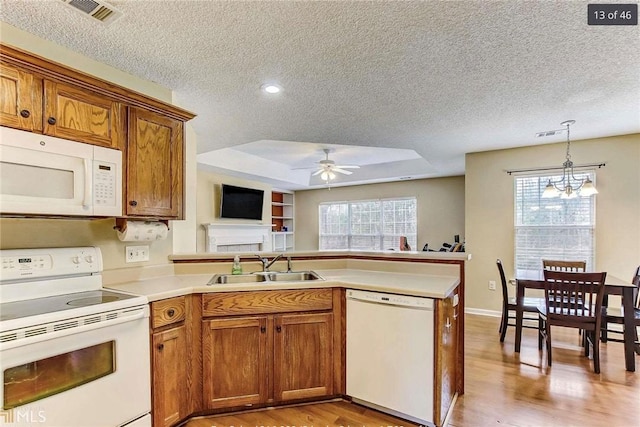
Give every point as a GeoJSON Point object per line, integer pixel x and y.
{"type": "Point", "coordinates": [437, 77]}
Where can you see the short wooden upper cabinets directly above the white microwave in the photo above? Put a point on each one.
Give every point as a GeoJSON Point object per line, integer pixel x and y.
{"type": "Point", "coordinates": [34, 104]}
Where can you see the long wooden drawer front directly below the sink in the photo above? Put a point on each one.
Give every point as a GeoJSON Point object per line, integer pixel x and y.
{"type": "Point", "coordinates": [264, 302]}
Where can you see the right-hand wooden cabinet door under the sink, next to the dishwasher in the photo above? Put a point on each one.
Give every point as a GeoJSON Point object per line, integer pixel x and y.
{"type": "Point", "coordinates": [303, 356]}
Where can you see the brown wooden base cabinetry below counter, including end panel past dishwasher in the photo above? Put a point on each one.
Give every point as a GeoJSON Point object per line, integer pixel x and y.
{"type": "Point", "coordinates": [218, 351]}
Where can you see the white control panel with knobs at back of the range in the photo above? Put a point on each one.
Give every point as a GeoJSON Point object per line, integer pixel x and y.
{"type": "Point", "coordinates": [18, 264]}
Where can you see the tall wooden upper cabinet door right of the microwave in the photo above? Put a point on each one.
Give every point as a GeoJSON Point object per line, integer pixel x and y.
{"type": "Point", "coordinates": [154, 165]}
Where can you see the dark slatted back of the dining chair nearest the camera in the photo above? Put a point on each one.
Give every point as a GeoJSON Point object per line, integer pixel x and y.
{"type": "Point", "coordinates": [574, 298]}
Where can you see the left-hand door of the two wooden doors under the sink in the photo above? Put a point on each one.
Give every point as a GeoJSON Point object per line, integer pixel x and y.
{"type": "Point", "coordinates": [235, 362]}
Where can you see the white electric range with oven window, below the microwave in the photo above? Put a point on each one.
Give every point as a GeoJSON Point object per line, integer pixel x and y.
{"type": "Point", "coordinates": [71, 353]}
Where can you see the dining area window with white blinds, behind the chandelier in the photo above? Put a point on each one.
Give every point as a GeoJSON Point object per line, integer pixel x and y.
{"type": "Point", "coordinates": [561, 229]}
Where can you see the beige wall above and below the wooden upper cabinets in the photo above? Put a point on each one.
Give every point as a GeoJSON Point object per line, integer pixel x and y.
{"type": "Point", "coordinates": [39, 233]}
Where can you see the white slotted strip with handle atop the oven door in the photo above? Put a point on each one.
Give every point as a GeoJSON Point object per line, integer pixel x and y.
{"type": "Point", "coordinates": [123, 316]}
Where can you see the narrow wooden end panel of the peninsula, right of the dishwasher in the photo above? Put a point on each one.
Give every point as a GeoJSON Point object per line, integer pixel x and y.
{"type": "Point", "coordinates": [446, 356]}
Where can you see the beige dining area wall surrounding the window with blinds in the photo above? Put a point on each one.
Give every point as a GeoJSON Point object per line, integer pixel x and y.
{"type": "Point", "coordinates": [489, 208]}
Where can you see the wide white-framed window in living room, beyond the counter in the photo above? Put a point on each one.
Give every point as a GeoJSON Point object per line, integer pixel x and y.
{"type": "Point", "coordinates": [376, 227]}
